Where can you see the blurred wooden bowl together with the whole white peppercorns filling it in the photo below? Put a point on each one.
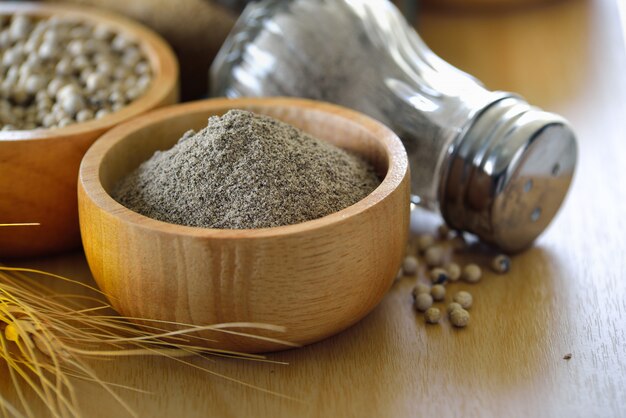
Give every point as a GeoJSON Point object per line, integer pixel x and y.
{"type": "Point", "coordinates": [67, 75]}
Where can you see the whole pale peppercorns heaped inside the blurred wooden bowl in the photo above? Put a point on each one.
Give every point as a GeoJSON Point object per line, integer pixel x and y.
{"type": "Point", "coordinates": [39, 58]}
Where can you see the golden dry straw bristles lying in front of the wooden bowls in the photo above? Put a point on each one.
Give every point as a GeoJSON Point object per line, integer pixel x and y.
{"type": "Point", "coordinates": [47, 339]}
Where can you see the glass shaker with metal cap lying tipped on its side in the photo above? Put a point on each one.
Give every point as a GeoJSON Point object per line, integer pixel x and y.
{"type": "Point", "coordinates": [492, 164]}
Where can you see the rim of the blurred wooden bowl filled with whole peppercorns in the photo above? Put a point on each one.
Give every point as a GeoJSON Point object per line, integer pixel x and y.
{"type": "Point", "coordinates": [160, 55]}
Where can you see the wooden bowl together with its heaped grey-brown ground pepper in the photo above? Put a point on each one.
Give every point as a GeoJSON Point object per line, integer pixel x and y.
{"type": "Point", "coordinates": [185, 222]}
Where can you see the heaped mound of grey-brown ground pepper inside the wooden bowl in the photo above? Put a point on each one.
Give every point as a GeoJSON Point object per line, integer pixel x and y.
{"type": "Point", "coordinates": [246, 171]}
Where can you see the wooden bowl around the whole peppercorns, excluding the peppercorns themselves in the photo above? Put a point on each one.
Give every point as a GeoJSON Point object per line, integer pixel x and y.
{"type": "Point", "coordinates": [39, 168]}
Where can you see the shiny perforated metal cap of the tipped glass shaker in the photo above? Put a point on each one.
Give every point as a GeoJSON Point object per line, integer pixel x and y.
{"type": "Point", "coordinates": [508, 173]}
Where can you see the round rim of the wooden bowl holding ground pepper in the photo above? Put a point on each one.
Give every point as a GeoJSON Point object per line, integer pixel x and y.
{"type": "Point", "coordinates": [89, 174]}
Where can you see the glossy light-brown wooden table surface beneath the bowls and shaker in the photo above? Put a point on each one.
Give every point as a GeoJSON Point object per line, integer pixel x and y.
{"type": "Point", "coordinates": [565, 295]}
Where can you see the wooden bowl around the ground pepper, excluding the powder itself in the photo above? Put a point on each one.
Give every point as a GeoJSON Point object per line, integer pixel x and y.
{"type": "Point", "coordinates": [315, 278]}
